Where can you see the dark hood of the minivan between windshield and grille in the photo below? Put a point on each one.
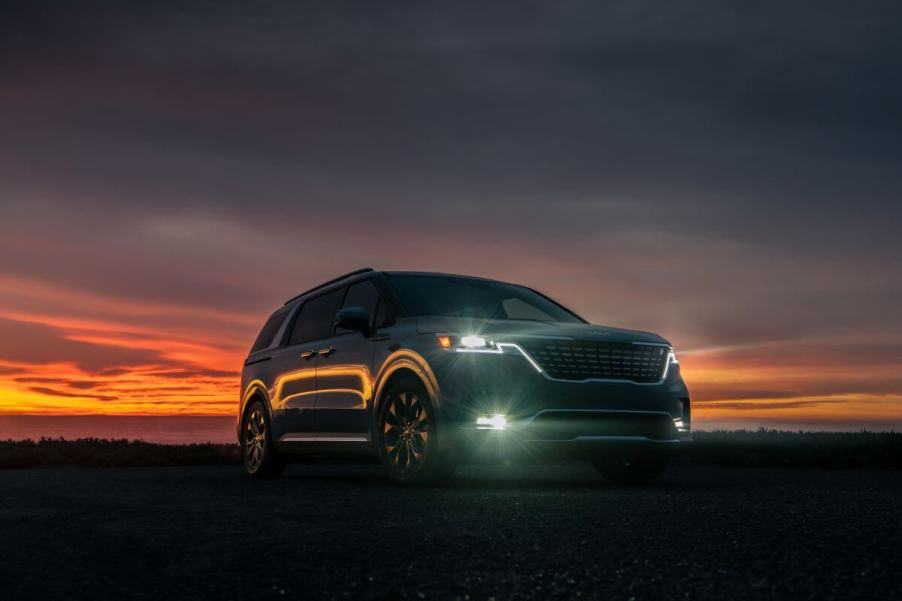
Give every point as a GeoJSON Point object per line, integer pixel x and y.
{"type": "Point", "coordinates": [513, 329]}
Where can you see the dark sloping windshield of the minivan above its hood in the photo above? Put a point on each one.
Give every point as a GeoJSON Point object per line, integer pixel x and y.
{"type": "Point", "coordinates": [466, 297]}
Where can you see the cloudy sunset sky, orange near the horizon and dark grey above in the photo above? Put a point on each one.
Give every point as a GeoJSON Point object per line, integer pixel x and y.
{"type": "Point", "coordinates": [729, 176]}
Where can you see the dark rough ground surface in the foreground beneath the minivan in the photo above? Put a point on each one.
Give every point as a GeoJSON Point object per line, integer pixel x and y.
{"type": "Point", "coordinates": [324, 532]}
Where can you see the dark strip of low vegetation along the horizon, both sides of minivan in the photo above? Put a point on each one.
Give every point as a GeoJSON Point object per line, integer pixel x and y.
{"type": "Point", "coordinates": [753, 448]}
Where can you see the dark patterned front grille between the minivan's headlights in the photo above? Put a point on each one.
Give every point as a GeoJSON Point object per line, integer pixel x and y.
{"type": "Point", "coordinates": [583, 360]}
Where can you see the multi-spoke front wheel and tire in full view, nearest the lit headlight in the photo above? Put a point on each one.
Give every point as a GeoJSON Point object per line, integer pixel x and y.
{"type": "Point", "coordinates": [408, 437]}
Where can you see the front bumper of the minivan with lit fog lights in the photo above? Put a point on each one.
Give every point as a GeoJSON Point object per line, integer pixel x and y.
{"type": "Point", "coordinates": [501, 407]}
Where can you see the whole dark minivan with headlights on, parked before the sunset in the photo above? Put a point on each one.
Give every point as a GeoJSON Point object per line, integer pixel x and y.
{"type": "Point", "coordinates": [428, 371]}
